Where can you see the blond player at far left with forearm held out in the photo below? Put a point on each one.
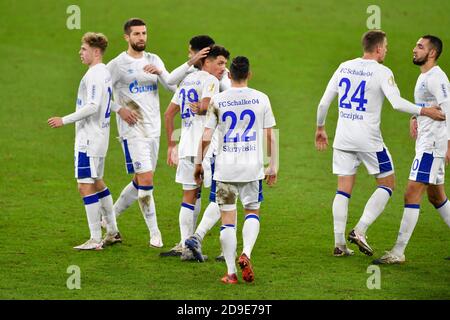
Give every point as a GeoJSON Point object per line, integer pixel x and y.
{"type": "Point", "coordinates": [92, 122]}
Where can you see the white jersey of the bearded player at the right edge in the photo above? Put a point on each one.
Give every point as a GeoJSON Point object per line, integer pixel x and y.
{"type": "Point", "coordinates": [432, 89]}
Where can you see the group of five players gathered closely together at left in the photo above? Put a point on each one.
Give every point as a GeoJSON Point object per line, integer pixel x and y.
{"type": "Point", "coordinates": [224, 126]}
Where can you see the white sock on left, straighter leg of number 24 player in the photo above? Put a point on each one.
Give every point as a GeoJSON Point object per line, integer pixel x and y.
{"type": "Point", "coordinates": [340, 211]}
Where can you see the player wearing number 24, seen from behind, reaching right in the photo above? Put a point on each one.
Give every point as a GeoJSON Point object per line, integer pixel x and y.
{"type": "Point", "coordinates": [361, 85]}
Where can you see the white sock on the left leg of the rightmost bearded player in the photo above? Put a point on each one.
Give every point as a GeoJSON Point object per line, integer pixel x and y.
{"type": "Point", "coordinates": [409, 221]}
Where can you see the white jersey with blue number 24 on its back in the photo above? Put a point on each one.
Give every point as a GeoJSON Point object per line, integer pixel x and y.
{"type": "Point", "coordinates": [362, 85]}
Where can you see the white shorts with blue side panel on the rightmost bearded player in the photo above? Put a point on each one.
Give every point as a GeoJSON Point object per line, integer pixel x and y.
{"type": "Point", "coordinates": [428, 169]}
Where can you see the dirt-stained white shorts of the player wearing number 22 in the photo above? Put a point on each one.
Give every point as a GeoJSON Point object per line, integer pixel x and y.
{"type": "Point", "coordinates": [250, 193]}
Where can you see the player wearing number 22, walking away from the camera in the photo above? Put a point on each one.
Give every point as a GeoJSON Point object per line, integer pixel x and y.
{"type": "Point", "coordinates": [243, 117]}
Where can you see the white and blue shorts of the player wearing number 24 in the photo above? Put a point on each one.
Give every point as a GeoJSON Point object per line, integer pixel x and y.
{"type": "Point", "coordinates": [346, 163]}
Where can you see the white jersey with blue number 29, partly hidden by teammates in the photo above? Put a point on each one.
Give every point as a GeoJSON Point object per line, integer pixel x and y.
{"type": "Point", "coordinates": [195, 87]}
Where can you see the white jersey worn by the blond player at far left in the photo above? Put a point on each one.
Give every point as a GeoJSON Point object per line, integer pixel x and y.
{"type": "Point", "coordinates": [92, 133]}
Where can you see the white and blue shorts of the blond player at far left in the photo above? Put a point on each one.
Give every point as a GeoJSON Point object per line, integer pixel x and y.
{"type": "Point", "coordinates": [88, 169]}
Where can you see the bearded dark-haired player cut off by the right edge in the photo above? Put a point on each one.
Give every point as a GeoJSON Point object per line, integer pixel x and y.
{"type": "Point", "coordinates": [432, 146]}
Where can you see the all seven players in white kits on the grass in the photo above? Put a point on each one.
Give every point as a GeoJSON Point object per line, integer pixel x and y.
{"type": "Point", "coordinates": [227, 131]}
